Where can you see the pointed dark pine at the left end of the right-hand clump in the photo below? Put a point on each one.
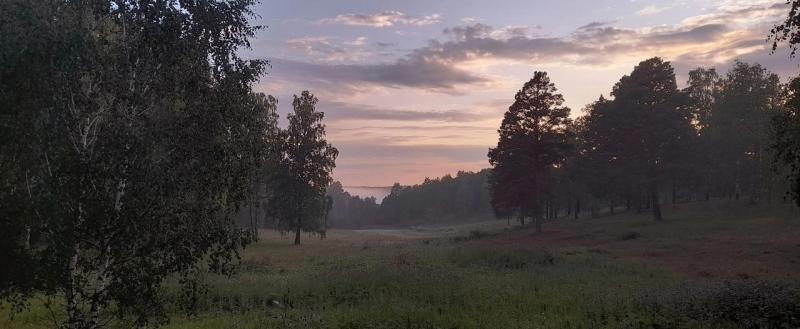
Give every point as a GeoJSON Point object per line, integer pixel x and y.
{"type": "Point", "coordinates": [533, 141]}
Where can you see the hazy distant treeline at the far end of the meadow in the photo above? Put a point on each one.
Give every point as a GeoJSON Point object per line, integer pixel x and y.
{"type": "Point", "coordinates": [464, 197]}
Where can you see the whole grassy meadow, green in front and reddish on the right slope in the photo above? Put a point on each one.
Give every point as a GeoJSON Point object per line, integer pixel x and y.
{"type": "Point", "coordinates": [709, 265]}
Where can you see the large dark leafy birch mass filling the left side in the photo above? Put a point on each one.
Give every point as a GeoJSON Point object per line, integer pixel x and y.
{"type": "Point", "coordinates": [130, 132]}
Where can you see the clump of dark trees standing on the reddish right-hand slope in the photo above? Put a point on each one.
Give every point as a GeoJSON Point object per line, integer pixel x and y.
{"type": "Point", "coordinates": [647, 144]}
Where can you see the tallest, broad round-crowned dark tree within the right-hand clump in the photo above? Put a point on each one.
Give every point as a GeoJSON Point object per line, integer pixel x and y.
{"type": "Point", "coordinates": [642, 133]}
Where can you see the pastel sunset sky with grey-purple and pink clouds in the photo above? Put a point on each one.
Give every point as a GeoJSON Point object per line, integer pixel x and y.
{"type": "Point", "coordinates": [417, 88]}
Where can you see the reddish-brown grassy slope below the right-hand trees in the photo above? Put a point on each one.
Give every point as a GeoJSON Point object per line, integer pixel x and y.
{"type": "Point", "coordinates": [772, 251]}
